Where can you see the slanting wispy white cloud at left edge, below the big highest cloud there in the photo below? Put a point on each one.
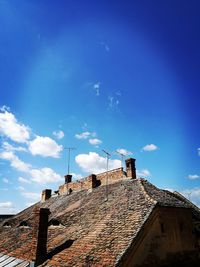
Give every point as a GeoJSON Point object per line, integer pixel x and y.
{"type": "Point", "coordinates": [15, 162]}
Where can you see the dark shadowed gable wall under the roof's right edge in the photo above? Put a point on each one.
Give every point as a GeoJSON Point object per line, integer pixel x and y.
{"type": "Point", "coordinates": [166, 240]}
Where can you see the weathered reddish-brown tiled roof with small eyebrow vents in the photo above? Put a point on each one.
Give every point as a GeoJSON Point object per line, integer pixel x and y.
{"type": "Point", "coordinates": [92, 231]}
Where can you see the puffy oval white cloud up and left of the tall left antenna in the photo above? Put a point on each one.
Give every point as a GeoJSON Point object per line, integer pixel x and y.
{"type": "Point", "coordinates": [45, 147]}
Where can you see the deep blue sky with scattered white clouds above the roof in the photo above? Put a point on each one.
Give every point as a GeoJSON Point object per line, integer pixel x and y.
{"type": "Point", "coordinates": [113, 75]}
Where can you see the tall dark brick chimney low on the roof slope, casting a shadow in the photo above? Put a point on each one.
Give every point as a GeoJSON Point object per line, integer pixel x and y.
{"type": "Point", "coordinates": [39, 235]}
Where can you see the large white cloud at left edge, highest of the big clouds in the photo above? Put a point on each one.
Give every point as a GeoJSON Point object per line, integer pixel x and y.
{"type": "Point", "coordinates": [11, 128]}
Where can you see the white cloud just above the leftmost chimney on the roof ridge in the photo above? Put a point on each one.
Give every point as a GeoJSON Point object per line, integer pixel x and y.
{"type": "Point", "coordinates": [45, 175]}
